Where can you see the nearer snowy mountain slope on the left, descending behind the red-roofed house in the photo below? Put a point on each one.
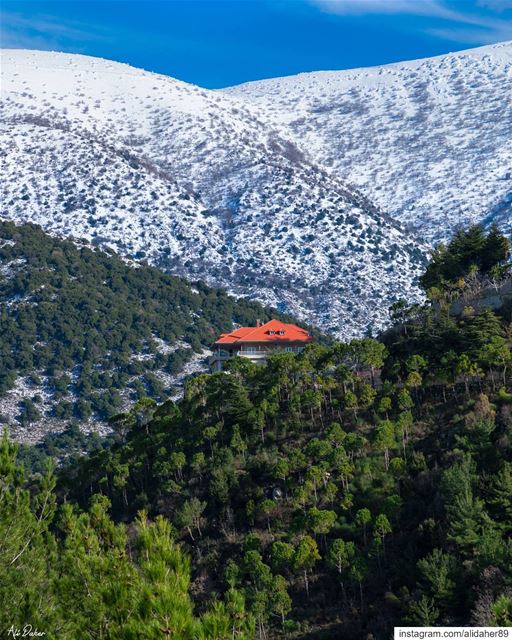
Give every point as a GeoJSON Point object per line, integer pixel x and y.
{"type": "Point", "coordinates": [197, 182]}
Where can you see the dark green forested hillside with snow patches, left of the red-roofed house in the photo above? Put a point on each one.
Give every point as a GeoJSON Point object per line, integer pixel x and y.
{"type": "Point", "coordinates": [85, 334]}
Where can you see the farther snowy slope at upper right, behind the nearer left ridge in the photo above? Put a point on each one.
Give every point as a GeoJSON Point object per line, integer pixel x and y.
{"type": "Point", "coordinates": [429, 141]}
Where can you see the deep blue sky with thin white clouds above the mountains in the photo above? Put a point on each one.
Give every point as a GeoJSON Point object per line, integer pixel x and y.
{"type": "Point", "coordinates": [216, 43]}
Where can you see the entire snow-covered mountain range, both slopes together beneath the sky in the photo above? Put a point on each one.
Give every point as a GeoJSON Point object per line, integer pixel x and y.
{"type": "Point", "coordinates": [252, 187]}
